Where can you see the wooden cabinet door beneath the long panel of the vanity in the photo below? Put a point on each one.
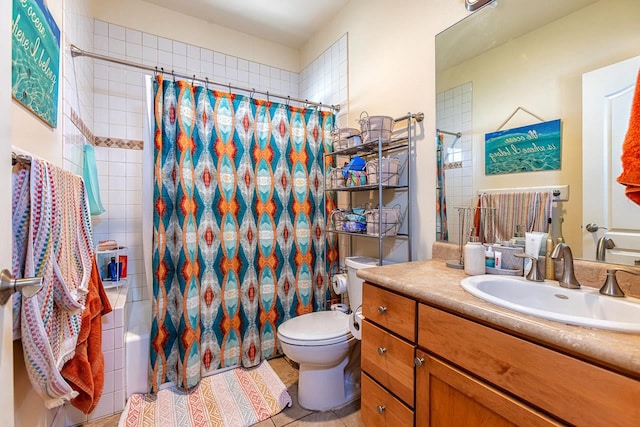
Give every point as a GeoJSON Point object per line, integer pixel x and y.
{"type": "Point", "coordinates": [448, 397]}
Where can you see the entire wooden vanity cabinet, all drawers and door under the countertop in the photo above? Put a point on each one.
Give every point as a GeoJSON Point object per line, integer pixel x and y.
{"type": "Point", "coordinates": [425, 366]}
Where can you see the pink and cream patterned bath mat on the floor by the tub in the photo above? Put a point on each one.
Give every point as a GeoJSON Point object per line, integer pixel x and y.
{"type": "Point", "coordinates": [238, 397]}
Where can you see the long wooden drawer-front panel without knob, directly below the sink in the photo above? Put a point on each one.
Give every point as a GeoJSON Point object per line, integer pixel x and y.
{"type": "Point", "coordinates": [575, 391]}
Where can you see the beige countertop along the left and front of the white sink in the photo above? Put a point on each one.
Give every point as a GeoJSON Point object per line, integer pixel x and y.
{"type": "Point", "coordinates": [433, 283]}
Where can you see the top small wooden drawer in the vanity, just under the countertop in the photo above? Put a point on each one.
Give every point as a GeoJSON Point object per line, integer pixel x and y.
{"type": "Point", "coordinates": [389, 310]}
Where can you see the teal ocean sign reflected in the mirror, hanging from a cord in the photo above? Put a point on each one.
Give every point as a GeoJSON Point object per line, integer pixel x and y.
{"type": "Point", "coordinates": [524, 149]}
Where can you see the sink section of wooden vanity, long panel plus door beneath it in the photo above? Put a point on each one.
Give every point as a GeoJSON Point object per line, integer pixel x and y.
{"type": "Point", "coordinates": [470, 369]}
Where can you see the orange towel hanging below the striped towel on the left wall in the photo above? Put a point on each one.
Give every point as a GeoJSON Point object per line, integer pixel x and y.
{"type": "Point", "coordinates": [85, 371]}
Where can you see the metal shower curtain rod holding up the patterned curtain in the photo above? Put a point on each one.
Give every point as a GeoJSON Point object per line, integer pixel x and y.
{"type": "Point", "coordinates": [76, 51]}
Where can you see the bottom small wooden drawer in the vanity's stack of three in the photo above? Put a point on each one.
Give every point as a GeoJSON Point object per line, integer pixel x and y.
{"type": "Point", "coordinates": [379, 408]}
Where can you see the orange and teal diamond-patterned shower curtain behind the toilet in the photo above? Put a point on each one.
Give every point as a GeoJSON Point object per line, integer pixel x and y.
{"type": "Point", "coordinates": [239, 243]}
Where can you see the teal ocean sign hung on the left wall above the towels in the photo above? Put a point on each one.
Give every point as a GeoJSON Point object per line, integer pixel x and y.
{"type": "Point", "coordinates": [35, 59]}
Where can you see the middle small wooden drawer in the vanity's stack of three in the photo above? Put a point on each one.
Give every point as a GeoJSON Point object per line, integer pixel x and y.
{"type": "Point", "coordinates": [388, 359]}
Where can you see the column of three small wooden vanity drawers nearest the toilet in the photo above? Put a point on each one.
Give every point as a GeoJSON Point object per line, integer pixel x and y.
{"type": "Point", "coordinates": [387, 358]}
